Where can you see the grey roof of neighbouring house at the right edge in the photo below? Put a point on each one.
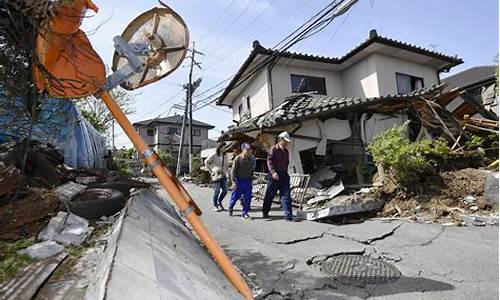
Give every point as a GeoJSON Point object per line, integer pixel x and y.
{"type": "Point", "coordinates": [469, 77]}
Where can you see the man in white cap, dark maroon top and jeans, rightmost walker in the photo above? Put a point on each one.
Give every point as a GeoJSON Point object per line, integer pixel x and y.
{"type": "Point", "coordinates": [278, 178]}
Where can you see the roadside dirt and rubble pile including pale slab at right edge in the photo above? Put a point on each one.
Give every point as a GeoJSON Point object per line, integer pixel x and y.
{"type": "Point", "coordinates": [462, 197]}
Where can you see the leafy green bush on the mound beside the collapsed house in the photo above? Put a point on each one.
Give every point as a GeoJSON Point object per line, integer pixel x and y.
{"type": "Point", "coordinates": [408, 161]}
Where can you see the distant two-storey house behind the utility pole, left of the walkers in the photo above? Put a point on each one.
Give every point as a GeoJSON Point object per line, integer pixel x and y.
{"type": "Point", "coordinates": [165, 134]}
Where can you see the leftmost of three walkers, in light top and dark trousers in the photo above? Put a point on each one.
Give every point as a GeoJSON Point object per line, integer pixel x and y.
{"type": "Point", "coordinates": [218, 166]}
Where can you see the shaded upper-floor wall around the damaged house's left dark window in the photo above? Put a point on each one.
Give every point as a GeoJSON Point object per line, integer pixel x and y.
{"type": "Point", "coordinates": [282, 83]}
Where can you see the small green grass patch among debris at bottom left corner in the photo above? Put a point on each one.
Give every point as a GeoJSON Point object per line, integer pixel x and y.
{"type": "Point", "coordinates": [13, 261]}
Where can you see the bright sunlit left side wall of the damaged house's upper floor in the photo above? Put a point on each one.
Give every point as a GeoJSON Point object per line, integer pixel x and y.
{"type": "Point", "coordinates": [257, 90]}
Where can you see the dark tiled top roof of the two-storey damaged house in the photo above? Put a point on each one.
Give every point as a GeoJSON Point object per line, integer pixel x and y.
{"type": "Point", "coordinates": [373, 38]}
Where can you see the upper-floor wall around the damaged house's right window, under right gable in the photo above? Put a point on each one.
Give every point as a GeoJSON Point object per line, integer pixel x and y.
{"type": "Point", "coordinates": [387, 67]}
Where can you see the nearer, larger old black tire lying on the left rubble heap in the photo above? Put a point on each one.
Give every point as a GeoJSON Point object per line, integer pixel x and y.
{"type": "Point", "coordinates": [97, 202]}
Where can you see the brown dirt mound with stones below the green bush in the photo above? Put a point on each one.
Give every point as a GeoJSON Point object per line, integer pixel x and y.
{"type": "Point", "coordinates": [450, 194]}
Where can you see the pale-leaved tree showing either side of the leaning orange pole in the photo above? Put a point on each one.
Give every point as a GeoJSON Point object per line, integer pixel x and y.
{"type": "Point", "coordinates": [97, 113]}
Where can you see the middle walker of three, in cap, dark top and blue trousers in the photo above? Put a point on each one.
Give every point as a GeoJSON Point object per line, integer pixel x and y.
{"type": "Point", "coordinates": [242, 175]}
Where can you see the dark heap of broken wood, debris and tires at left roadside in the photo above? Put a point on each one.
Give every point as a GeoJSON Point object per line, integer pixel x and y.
{"type": "Point", "coordinates": [28, 199]}
